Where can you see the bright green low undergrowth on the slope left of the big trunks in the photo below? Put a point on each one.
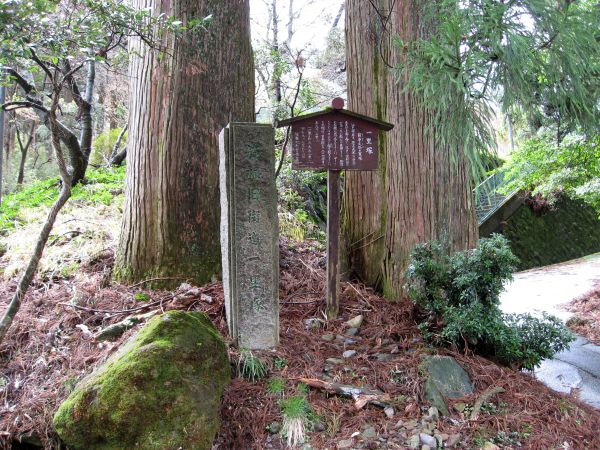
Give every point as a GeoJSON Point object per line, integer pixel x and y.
{"type": "Point", "coordinates": [100, 186]}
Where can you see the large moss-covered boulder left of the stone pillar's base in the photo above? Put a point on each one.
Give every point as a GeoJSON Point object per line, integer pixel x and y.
{"type": "Point", "coordinates": [161, 390]}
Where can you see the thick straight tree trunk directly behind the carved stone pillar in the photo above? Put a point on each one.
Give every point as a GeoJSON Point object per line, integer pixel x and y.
{"type": "Point", "coordinates": [178, 106]}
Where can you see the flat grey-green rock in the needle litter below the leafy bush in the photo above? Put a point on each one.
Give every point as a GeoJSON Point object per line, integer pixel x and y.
{"type": "Point", "coordinates": [445, 379]}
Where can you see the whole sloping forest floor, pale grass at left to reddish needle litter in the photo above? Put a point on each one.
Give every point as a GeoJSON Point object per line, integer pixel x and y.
{"type": "Point", "coordinates": [51, 346]}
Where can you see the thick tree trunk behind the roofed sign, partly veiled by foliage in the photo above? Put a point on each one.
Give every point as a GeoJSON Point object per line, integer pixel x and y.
{"type": "Point", "coordinates": [420, 192]}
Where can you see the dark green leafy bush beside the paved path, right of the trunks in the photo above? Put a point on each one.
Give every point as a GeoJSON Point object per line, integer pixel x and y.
{"type": "Point", "coordinates": [459, 295]}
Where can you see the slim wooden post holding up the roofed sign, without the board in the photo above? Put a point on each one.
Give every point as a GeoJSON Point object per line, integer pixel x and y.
{"type": "Point", "coordinates": [333, 240]}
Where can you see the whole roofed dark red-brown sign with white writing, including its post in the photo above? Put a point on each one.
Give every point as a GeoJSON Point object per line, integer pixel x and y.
{"type": "Point", "coordinates": [334, 140]}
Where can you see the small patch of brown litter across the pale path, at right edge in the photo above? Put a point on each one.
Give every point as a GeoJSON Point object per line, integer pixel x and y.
{"type": "Point", "coordinates": [586, 321]}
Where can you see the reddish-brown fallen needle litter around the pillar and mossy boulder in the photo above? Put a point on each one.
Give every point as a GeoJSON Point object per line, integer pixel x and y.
{"type": "Point", "coordinates": [49, 348]}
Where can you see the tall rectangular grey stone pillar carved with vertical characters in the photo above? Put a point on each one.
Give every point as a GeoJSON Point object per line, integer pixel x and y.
{"type": "Point", "coordinates": [249, 234]}
